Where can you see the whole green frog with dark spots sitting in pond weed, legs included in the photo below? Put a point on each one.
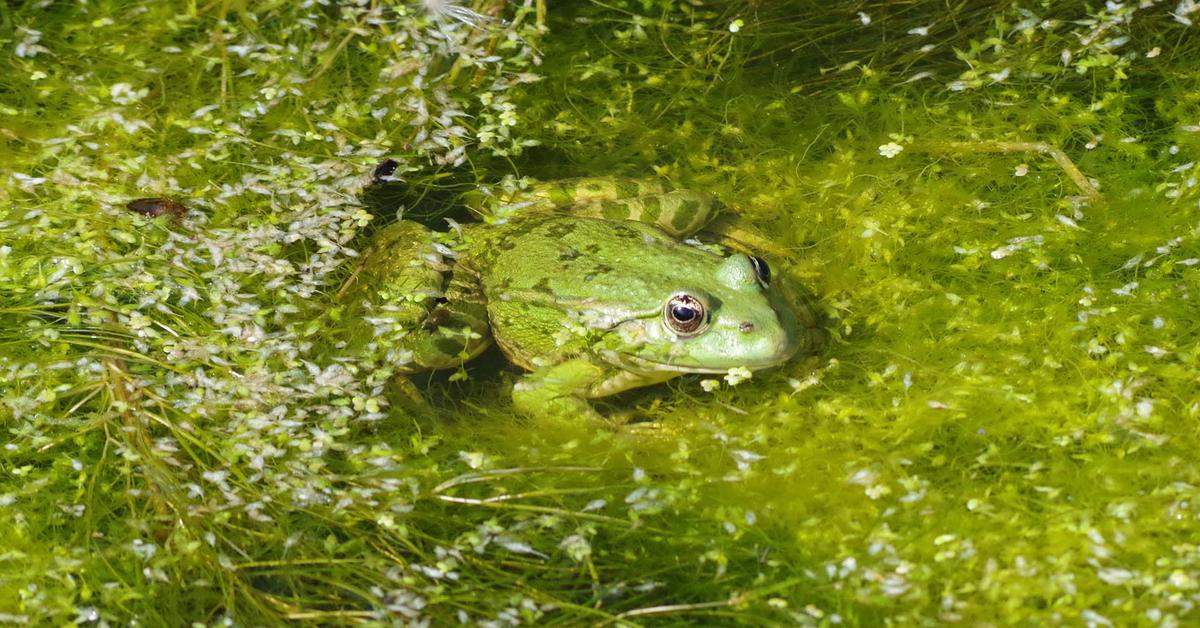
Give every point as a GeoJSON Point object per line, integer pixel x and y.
{"type": "Point", "coordinates": [585, 284]}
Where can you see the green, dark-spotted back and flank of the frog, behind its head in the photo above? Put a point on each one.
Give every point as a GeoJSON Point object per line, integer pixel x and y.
{"type": "Point", "coordinates": [543, 274]}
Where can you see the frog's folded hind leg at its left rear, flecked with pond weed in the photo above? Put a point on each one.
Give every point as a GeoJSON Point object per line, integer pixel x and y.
{"type": "Point", "coordinates": [412, 302]}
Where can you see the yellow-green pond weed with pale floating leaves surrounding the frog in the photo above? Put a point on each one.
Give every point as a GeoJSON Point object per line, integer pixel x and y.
{"type": "Point", "coordinates": [1004, 428]}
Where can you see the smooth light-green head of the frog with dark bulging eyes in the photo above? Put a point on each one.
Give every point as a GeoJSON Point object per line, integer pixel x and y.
{"type": "Point", "coordinates": [733, 319]}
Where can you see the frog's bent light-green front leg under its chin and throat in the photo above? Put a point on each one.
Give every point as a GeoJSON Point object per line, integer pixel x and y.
{"type": "Point", "coordinates": [561, 392]}
